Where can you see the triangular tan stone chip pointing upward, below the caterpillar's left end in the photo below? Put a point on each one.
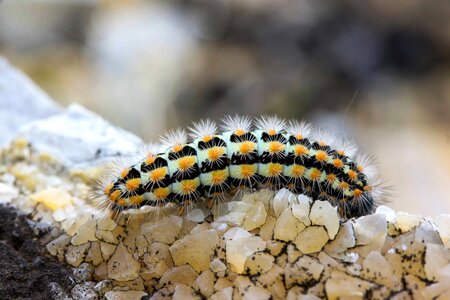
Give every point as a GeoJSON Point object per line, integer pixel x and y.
{"type": "Point", "coordinates": [122, 266]}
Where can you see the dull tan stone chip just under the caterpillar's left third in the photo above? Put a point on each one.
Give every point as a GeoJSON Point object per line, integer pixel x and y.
{"type": "Point", "coordinates": [165, 230]}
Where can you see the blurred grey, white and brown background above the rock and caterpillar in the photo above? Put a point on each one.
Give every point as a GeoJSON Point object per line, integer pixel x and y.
{"type": "Point", "coordinates": [376, 71]}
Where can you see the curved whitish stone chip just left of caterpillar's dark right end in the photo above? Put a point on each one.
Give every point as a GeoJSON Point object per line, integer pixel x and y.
{"type": "Point", "coordinates": [323, 213]}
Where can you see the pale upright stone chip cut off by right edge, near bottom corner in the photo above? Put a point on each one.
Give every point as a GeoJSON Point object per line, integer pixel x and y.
{"type": "Point", "coordinates": [436, 258]}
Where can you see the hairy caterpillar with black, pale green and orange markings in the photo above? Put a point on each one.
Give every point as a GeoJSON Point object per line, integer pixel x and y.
{"type": "Point", "coordinates": [248, 155]}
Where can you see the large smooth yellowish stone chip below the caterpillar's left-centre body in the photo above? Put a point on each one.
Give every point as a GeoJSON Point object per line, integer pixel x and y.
{"type": "Point", "coordinates": [196, 250]}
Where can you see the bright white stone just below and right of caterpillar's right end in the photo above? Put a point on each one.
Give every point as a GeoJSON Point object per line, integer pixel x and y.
{"type": "Point", "coordinates": [370, 228]}
